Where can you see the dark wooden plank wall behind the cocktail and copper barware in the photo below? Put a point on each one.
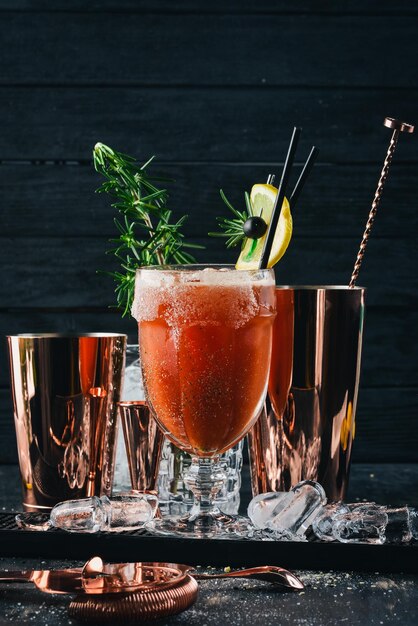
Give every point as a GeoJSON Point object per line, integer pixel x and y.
{"type": "Point", "coordinates": [213, 89]}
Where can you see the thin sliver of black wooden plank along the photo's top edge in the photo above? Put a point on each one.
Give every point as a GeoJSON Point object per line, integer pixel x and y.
{"type": "Point", "coordinates": [327, 7]}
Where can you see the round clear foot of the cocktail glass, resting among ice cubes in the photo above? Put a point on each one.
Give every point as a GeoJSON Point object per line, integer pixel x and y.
{"type": "Point", "coordinates": [204, 526]}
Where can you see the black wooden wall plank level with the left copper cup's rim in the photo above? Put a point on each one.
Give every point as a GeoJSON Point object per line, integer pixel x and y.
{"type": "Point", "coordinates": [390, 340]}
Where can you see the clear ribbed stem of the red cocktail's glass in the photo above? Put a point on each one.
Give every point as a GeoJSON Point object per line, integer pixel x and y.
{"type": "Point", "coordinates": [204, 478]}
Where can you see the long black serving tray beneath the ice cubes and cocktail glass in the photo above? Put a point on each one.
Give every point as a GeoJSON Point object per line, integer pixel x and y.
{"type": "Point", "coordinates": [139, 545]}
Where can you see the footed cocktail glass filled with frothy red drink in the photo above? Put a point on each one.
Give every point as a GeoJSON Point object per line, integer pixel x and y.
{"type": "Point", "coordinates": [205, 335]}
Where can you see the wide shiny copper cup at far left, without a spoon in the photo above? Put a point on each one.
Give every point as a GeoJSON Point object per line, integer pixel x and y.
{"type": "Point", "coordinates": [65, 389]}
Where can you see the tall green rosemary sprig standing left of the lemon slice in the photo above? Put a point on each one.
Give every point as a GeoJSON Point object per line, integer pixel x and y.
{"type": "Point", "coordinates": [146, 233]}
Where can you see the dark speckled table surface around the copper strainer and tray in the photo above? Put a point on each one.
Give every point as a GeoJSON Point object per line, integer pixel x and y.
{"type": "Point", "coordinates": [330, 598]}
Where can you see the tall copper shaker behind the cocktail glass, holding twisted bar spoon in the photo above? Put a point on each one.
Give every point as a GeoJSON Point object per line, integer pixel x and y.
{"type": "Point", "coordinates": [309, 435]}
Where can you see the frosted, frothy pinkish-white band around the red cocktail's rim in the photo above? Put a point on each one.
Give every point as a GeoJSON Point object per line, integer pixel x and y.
{"type": "Point", "coordinates": [211, 296]}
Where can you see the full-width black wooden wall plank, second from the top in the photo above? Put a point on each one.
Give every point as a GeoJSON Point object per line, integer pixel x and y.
{"type": "Point", "coordinates": [126, 49]}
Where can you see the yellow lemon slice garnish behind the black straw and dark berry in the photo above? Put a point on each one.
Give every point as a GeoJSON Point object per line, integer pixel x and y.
{"type": "Point", "coordinates": [262, 200]}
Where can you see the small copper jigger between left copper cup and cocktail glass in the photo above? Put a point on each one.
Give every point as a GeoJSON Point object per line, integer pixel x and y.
{"type": "Point", "coordinates": [143, 440]}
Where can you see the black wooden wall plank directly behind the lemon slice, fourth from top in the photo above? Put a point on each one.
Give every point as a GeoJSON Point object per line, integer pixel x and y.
{"type": "Point", "coordinates": [59, 200]}
